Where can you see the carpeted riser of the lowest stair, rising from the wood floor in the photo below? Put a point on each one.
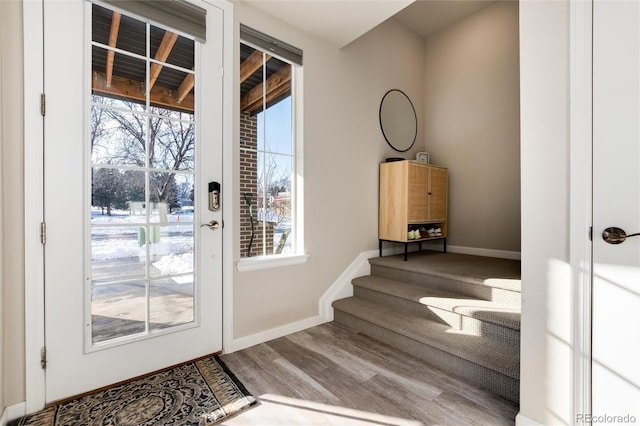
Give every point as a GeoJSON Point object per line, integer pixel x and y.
{"type": "Point", "coordinates": [480, 376]}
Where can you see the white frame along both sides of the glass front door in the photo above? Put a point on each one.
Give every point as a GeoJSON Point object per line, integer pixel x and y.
{"type": "Point", "coordinates": [33, 15]}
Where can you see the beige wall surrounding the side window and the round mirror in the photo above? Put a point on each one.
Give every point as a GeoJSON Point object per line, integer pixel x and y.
{"type": "Point", "coordinates": [343, 146]}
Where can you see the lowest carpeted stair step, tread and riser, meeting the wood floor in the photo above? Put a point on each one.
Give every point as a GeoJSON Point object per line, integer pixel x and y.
{"type": "Point", "coordinates": [481, 360]}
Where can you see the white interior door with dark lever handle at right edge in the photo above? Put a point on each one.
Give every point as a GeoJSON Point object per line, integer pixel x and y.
{"type": "Point", "coordinates": [616, 269]}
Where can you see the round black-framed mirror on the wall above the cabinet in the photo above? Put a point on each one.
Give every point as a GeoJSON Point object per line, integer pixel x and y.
{"type": "Point", "coordinates": [398, 120]}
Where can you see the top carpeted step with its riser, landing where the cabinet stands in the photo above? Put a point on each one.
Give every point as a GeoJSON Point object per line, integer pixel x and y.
{"type": "Point", "coordinates": [493, 279]}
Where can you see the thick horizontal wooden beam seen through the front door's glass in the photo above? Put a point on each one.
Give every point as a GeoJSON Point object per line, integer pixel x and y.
{"type": "Point", "coordinates": [130, 89]}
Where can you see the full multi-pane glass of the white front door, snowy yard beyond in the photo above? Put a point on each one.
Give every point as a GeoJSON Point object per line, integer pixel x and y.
{"type": "Point", "coordinates": [142, 172]}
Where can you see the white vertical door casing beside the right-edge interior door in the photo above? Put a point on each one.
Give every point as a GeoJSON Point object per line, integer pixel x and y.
{"type": "Point", "coordinates": [581, 199]}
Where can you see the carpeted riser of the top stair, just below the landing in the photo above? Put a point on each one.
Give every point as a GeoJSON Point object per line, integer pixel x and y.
{"type": "Point", "coordinates": [440, 283]}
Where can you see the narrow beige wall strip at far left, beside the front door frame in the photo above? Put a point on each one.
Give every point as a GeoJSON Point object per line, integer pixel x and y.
{"type": "Point", "coordinates": [12, 365]}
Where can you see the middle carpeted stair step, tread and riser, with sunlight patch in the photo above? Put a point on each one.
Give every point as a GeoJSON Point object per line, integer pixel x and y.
{"type": "Point", "coordinates": [479, 317]}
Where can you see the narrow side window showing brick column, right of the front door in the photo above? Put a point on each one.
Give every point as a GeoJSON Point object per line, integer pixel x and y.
{"type": "Point", "coordinates": [268, 170]}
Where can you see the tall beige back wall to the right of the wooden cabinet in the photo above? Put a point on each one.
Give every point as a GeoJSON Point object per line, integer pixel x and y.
{"type": "Point", "coordinates": [472, 125]}
